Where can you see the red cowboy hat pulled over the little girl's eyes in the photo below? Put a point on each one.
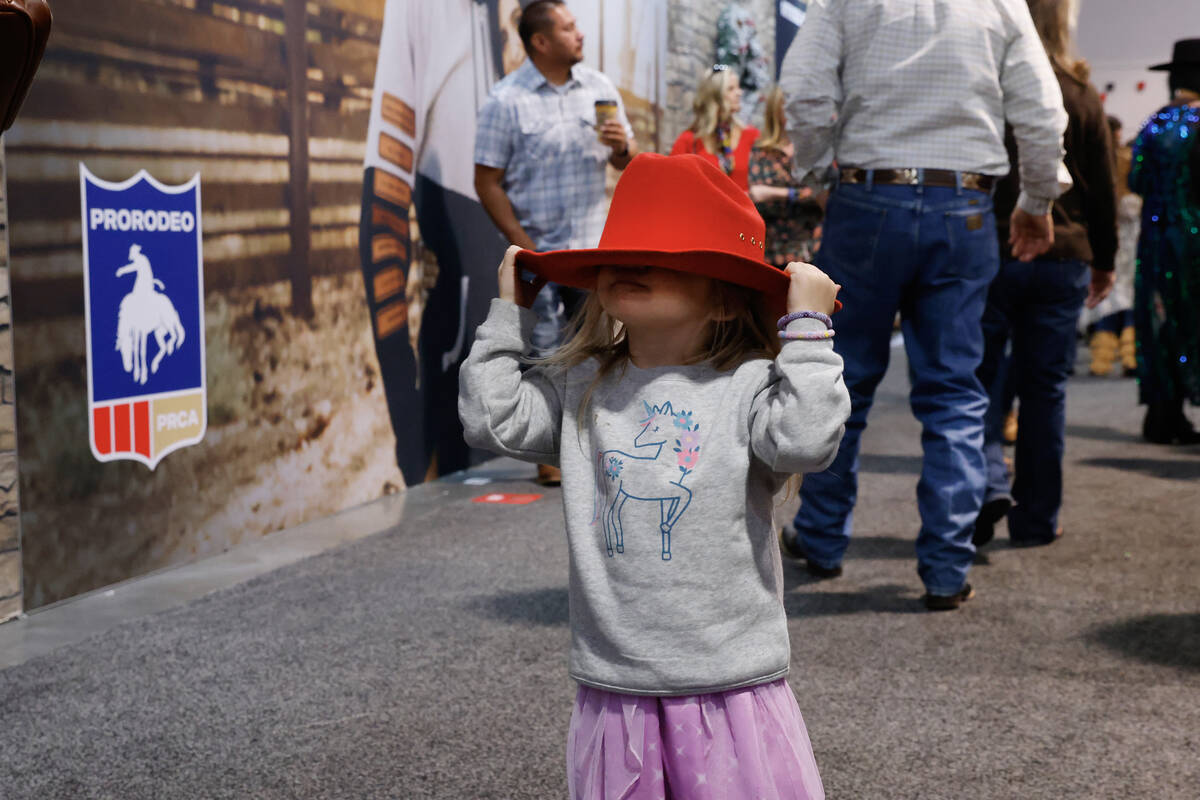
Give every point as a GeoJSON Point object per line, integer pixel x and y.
{"type": "Point", "coordinates": [680, 213]}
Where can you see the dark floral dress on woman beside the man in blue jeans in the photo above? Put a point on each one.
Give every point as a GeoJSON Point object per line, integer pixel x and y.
{"type": "Point", "coordinates": [791, 227]}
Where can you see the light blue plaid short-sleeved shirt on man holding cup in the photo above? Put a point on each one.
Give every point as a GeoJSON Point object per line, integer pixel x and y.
{"type": "Point", "coordinates": [544, 139]}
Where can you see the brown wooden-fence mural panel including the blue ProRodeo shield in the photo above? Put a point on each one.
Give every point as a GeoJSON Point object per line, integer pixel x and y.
{"type": "Point", "coordinates": [291, 402]}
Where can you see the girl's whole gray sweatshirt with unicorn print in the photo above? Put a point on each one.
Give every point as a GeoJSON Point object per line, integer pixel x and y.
{"type": "Point", "coordinates": [669, 483]}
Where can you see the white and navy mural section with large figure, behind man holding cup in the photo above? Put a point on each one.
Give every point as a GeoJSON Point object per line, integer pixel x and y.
{"type": "Point", "coordinates": [428, 249]}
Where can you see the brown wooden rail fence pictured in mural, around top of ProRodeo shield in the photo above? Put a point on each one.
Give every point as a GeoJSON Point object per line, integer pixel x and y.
{"type": "Point", "coordinates": [267, 99]}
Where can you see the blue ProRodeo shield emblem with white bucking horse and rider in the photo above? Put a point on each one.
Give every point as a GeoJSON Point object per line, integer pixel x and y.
{"type": "Point", "coordinates": [145, 308]}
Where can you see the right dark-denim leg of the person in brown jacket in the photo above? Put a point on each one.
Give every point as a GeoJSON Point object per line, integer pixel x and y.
{"type": "Point", "coordinates": [1043, 351]}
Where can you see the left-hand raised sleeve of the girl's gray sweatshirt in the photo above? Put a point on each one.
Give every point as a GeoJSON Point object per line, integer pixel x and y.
{"type": "Point", "coordinates": [503, 410]}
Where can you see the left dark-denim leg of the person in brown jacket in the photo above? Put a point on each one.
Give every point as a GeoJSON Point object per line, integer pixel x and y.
{"type": "Point", "coordinates": [997, 377]}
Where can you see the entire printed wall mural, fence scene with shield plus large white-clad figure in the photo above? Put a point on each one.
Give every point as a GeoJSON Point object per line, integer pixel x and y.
{"type": "Point", "coordinates": [323, 370]}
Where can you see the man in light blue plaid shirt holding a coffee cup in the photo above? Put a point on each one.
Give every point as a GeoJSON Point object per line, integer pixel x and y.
{"type": "Point", "coordinates": [541, 157]}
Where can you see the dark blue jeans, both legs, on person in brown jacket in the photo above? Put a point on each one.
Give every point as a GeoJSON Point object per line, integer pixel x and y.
{"type": "Point", "coordinates": [1039, 306]}
